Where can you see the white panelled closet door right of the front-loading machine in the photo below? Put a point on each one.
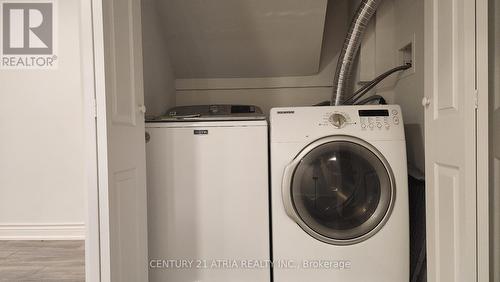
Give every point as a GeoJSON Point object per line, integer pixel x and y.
{"type": "Point", "coordinates": [450, 140]}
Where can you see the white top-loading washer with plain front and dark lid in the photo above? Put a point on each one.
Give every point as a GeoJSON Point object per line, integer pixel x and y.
{"type": "Point", "coordinates": [208, 203]}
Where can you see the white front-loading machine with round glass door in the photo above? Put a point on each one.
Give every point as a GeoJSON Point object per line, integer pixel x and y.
{"type": "Point", "coordinates": [339, 194]}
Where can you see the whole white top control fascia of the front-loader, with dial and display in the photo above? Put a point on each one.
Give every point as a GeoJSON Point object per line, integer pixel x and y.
{"type": "Point", "coordinates": [370, 122]}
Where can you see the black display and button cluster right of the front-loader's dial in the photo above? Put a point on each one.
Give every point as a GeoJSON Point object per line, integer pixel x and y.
{"type": "Point", "coordinates": [378, 119]}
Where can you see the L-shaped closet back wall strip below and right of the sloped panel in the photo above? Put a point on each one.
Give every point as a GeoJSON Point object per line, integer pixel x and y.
{"type": "Point", "coordinates": [275, 91]}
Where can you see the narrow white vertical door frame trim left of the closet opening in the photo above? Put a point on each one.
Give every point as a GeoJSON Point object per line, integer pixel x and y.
{"type": "Point", "coordinates": [92, 48]}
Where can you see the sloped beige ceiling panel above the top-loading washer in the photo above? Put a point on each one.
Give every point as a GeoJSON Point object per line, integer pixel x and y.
{"type": "Point", "coordinates": [264, 38]}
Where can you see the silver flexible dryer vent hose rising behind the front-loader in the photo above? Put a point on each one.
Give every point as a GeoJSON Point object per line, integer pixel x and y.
{"type": "Point", "coordinates": [352, 42]}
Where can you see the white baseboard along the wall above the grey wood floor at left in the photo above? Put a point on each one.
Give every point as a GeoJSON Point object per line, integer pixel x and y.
{"type": "Point", "coordinates": [69, 231]}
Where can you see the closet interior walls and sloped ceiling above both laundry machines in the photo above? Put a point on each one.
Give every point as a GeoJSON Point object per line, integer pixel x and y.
{"type": "Point", "coordinates": [279, 54]}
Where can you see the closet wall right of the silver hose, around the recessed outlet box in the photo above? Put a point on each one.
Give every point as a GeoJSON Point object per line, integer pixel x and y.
{"type": "Point", "coordinates": [399, 22]}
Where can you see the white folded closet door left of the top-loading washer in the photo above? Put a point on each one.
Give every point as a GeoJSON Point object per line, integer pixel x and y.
{"type": "Point", "coordinates": [121, 143]}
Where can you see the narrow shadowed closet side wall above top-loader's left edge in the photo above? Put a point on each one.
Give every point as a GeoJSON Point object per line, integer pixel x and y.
{"type": "Point", "coordinates": [159, 89]}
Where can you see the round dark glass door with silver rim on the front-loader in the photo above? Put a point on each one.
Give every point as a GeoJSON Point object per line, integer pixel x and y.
{"type": "Point", "coordinates": [340, 190]}
